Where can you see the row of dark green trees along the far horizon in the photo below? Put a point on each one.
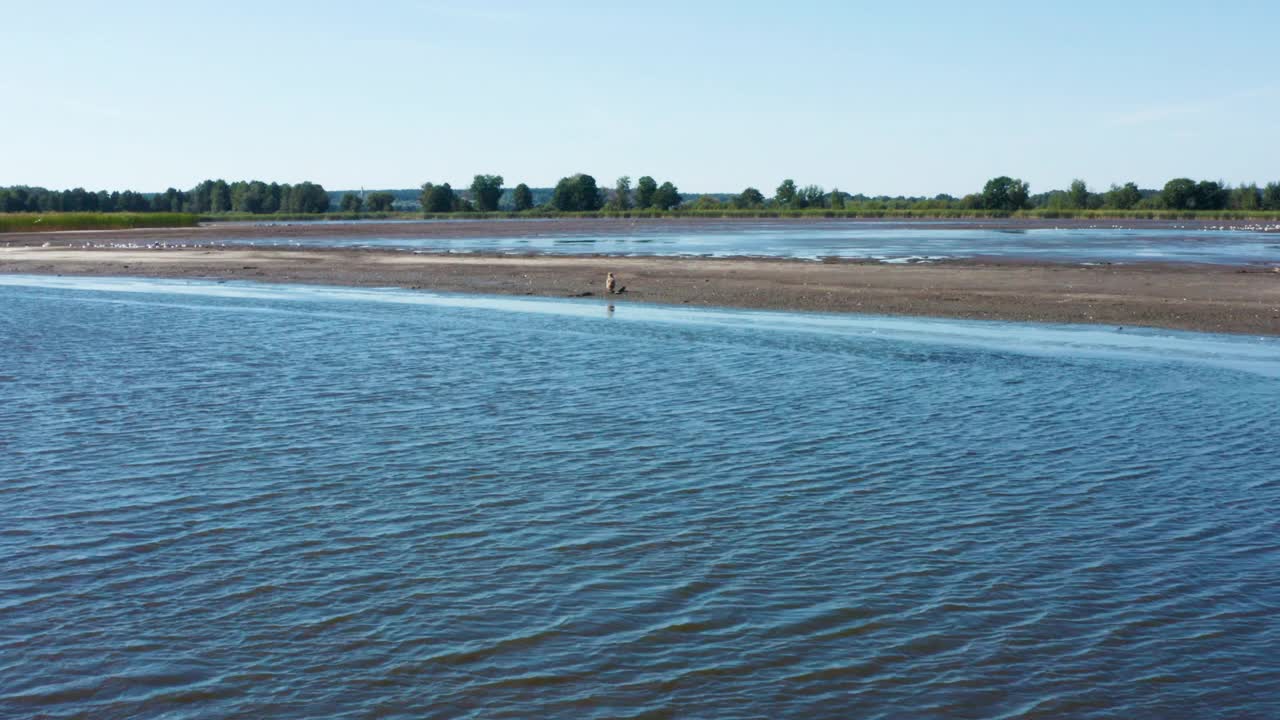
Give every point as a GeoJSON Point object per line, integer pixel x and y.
{"type": "Point", "coordinates": [582, 194]}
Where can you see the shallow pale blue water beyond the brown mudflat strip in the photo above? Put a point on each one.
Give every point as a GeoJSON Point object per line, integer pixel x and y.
{"type": "Point", "coordinates": [895, 241]}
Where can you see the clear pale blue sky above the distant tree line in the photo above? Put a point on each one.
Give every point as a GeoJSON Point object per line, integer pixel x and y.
{"type": "Point", "coordinates": [880, 98]}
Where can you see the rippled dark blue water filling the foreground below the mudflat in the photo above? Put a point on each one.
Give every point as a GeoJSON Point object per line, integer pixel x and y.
{"type": "Point", "coordinates": [250, 502]}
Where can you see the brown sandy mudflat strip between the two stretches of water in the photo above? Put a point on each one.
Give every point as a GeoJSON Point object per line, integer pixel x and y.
{"type": "Point", "coordinates": [1197, 298]}
